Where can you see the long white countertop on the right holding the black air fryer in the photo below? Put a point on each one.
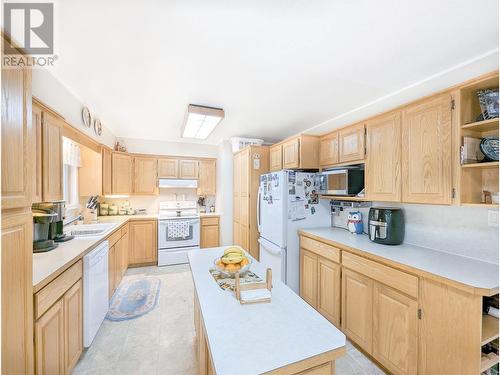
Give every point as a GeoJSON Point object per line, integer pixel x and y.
{"type": "Point", "coordinates": [468, 271]}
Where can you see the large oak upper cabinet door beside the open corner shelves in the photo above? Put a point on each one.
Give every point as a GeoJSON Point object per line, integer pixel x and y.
{"type": "Point", "coordinates": [427, 151]}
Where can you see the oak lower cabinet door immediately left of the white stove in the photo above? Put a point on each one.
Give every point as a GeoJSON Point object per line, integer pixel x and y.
{"type": "Point", "coordinates": [143, 242]}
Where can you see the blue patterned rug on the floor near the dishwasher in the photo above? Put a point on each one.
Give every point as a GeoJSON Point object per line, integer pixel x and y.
{"type": "Point", "coordinates": [134, 298]}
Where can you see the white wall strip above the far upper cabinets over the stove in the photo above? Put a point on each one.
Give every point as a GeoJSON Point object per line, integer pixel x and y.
{"type": "Point", "coordinates": [146, 146]}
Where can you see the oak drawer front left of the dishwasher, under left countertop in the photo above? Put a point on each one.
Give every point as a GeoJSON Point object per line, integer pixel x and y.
{"type": "Point", "coordinates": [55, 290]}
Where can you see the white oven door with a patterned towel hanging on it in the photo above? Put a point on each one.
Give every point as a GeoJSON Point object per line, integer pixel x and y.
{"type": "Point", "coordinates": [178, 232]}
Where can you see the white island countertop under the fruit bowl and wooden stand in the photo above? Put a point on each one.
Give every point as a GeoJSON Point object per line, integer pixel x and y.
{"type": "Point", "coordinates": [256, 338]}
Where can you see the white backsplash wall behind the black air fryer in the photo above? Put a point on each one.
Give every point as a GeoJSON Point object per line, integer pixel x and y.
{"type": "Point", "coordinates": [458, 230]}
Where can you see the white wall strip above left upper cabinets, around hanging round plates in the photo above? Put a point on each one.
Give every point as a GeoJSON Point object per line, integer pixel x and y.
{"type": "Point", "coordinates": [50, 91]}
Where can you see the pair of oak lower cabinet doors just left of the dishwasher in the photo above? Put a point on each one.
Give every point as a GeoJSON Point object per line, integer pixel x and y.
{"type": "Point", "coordinates": [59, 334]}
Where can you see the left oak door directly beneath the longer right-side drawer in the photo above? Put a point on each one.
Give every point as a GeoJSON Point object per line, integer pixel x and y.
{"type": "Point", "coordinates": [357, 294]}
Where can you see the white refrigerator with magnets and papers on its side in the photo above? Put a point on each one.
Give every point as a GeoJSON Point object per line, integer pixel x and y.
{"type": "Point", "coordinates": [287, 201]}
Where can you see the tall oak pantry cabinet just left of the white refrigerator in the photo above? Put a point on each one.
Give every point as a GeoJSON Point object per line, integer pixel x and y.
{"type": "Point", "coordinates": [248, 165]}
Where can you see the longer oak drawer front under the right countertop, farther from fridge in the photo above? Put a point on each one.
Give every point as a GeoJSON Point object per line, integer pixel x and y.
{"type": "Point", "coordinates": [399, 280]}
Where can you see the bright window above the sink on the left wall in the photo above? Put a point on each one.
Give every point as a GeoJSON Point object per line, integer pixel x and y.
{"type": "Point", "coordinates": [71, 163]}
